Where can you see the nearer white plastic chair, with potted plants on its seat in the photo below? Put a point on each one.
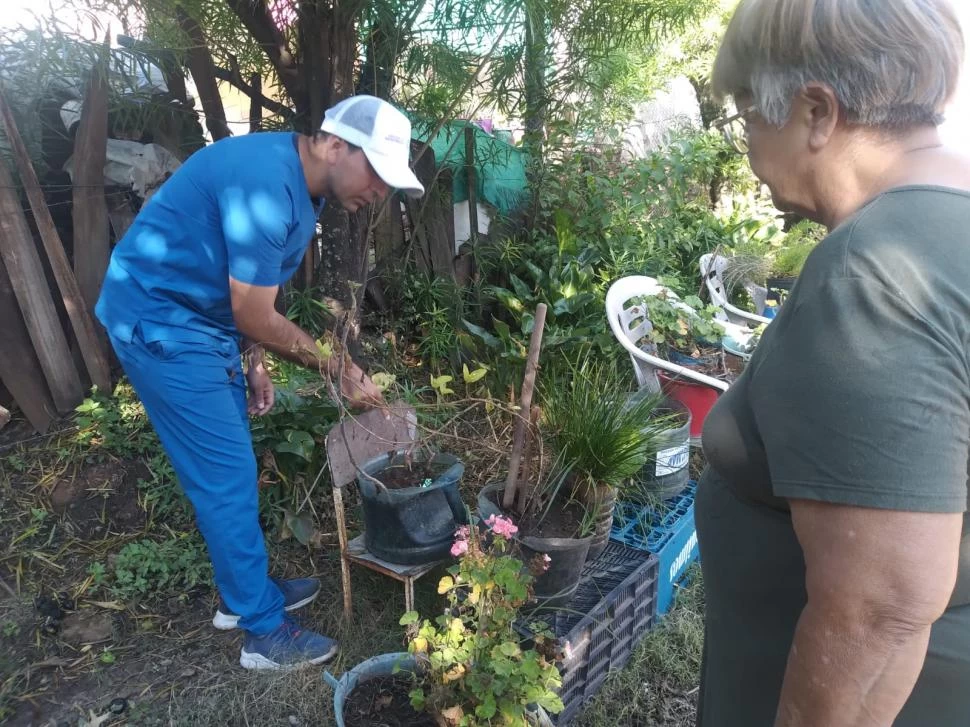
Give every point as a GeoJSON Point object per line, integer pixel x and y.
{"type": "Point", "coordinates": [630, 323]}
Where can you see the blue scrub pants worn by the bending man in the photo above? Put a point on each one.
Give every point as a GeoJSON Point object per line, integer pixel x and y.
{"type": "Point", "coordinates": [195, 397]}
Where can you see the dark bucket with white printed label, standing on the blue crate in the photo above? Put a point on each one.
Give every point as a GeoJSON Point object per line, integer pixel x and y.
{"type": "Point", "coordinates": [666, 473]}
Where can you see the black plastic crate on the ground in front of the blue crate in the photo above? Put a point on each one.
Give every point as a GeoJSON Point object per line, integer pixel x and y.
{"type": "Point", "coordinates": [614, 607]}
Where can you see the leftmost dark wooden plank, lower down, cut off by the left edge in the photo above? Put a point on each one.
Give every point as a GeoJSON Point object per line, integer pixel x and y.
{"type": "Point", "coordinates": [19, 367]}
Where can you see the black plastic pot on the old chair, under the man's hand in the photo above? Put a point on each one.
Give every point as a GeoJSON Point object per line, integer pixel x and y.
{"type": "Point", "coordinates": [412, 525]}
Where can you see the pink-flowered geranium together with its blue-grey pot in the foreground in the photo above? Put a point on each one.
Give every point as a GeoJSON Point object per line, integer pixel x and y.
{"type": "Point", "coordinates": [466, 668]}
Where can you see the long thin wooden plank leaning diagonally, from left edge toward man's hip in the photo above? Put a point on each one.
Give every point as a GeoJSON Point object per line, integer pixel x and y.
{"type": "Point", "coordinates": [94, 354]}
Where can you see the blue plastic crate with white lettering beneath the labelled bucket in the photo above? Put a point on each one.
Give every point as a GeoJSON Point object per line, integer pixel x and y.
{"type": "Point", "coordinates": [668, 533]}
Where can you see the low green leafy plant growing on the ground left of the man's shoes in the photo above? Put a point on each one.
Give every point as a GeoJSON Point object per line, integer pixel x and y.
{"type": "Point", "coordinates": [148, 568]}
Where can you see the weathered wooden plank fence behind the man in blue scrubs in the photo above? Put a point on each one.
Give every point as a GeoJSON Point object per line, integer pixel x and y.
{"type": "Point", "coordinates": [51, 348]}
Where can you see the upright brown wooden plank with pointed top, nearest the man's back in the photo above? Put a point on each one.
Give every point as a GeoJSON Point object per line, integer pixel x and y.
{"type": "Point", "coordinates": [92, 242]}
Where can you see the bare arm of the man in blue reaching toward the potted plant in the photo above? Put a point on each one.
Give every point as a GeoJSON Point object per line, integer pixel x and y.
{"type": "Point", "coordinates": [261, 324]}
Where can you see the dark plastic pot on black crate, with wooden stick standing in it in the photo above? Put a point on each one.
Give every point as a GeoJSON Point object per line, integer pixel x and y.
{"type": "Point", "coordinates": [567, 556]}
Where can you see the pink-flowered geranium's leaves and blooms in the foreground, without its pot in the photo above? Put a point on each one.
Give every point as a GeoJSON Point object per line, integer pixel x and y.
{"type": "Point", "coordinates": [474, 671]}
